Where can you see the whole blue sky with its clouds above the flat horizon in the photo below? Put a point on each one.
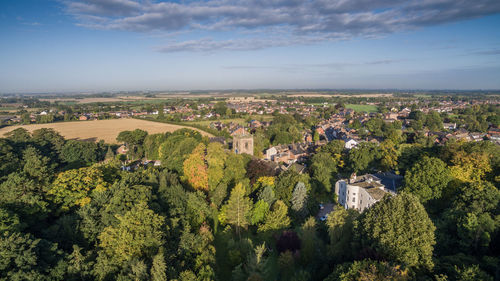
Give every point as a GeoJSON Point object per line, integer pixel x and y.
{"type": "Point", "coordinates": [146, 45]}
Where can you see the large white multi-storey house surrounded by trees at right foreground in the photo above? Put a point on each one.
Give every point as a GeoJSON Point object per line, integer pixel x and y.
{"type": "Point", "coordinates": [361, 192]}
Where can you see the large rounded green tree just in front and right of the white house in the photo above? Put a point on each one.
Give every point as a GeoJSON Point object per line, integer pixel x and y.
{"type": "Point", "coordinates": [399, 229]}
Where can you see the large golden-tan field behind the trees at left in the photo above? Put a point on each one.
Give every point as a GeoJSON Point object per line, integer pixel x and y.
{"type": "Point", "coordinates": [106, 130]}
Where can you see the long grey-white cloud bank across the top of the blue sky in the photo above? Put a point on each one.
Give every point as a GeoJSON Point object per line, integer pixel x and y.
{"type": "Point", "coordinates": [319, 19]}
